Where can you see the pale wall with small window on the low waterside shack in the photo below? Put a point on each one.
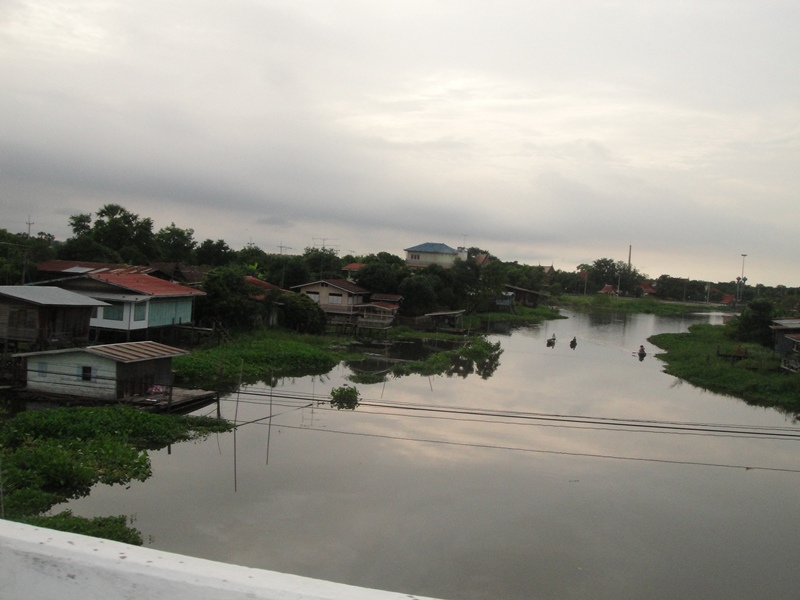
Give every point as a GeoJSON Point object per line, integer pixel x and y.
{"type": "Point", "coordinates": [75, 373]}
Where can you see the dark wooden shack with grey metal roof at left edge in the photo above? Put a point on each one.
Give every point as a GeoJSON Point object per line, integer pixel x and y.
{"type": "Point", "coordinates": [44, 317]}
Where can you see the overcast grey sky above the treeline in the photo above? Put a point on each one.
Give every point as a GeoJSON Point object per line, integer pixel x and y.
{"type": "Point", "coordinates": [547, 132]}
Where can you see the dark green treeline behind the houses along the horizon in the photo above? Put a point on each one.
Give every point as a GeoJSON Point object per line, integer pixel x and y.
{"type": "Point", "coordinates": [114, 234]}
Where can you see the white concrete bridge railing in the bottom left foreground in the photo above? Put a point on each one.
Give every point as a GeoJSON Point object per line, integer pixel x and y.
{"type": "Point", "coordinates": [52, 565]}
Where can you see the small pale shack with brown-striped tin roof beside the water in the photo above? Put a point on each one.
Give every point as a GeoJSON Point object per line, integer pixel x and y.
{"type": "Point", "coordinates": [108, 372]}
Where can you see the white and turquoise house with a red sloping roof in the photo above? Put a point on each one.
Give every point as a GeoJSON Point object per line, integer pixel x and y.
{"type": "Point", "coordinates": [137, 302]}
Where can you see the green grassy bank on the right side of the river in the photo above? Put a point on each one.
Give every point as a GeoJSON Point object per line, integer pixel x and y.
{"type": "Point", "coordinates": [756, 379]}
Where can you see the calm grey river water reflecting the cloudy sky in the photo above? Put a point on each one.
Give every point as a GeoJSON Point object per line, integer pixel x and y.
{"type": "Point", "coordinates": [582, 473]}
